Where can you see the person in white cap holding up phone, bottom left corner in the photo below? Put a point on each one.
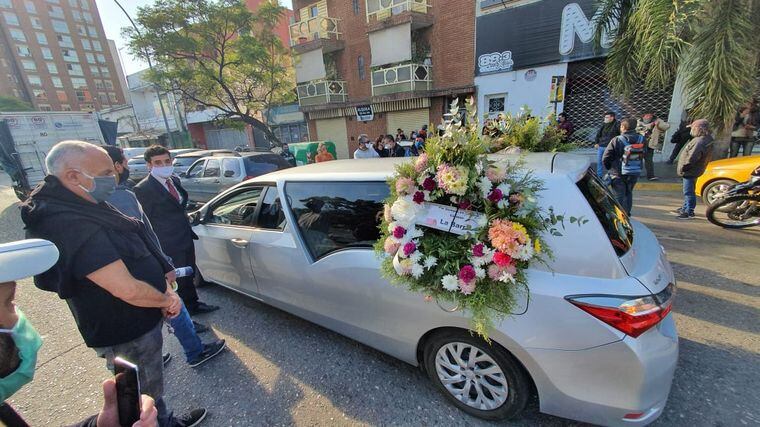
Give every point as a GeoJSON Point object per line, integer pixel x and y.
{"type": "Point", "coordinates": [20, 342]}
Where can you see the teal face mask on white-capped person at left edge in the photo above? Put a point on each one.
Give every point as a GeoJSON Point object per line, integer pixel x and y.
{"type": "Point", "coordinates": [28, 343]}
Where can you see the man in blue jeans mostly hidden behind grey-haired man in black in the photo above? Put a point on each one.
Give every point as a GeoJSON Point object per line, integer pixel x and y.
{"type": "Point", "coordinates": [185, 329]}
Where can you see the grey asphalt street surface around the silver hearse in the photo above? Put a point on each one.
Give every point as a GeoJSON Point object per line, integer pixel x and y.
{"type": "Point", "coordinates": [281, 370]}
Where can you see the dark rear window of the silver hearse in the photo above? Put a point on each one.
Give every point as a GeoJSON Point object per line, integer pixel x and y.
{"type": "Point", "coordinates": [611, 215]}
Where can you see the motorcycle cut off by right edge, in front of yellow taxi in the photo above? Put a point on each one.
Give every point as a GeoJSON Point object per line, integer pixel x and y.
{"type": "Point", "coordinates": [739, 206]}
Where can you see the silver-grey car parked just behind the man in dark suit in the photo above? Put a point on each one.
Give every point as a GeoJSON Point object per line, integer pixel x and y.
{"type": "Point", "coordinates": [211, 175]}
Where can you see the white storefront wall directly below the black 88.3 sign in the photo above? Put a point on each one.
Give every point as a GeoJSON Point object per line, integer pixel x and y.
{"type": "Point", "coordinates": [520, 92]}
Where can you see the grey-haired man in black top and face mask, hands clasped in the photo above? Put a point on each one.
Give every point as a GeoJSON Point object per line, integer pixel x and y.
{"type": "Point", "coordinates": [110, 272]}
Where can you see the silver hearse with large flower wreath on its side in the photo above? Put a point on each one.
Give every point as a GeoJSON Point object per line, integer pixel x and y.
{"type": "Point", "coordinates": [592, 336]}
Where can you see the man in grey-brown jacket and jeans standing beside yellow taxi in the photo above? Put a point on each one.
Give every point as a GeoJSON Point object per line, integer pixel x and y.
{"type": "Point", "coordinates": [692, 164]}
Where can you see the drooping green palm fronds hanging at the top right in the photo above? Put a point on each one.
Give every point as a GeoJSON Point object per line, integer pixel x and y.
{"type": "Point", "coordinates": [712, 45]}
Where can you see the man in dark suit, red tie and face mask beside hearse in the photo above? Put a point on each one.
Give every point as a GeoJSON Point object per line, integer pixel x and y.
{"type": "Point", "coordinates": [164, 201]}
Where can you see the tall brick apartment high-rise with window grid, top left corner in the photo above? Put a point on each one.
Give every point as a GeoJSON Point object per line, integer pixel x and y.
{"type": "Point", "coordinates": [55, 55]}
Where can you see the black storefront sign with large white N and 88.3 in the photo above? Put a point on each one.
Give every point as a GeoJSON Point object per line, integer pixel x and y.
{"type": "Point", "coordinates": [538, 33]}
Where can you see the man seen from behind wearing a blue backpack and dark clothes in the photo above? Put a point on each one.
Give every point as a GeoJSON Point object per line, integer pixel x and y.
{"type": "Point", "coordinates": [623, 158]}
